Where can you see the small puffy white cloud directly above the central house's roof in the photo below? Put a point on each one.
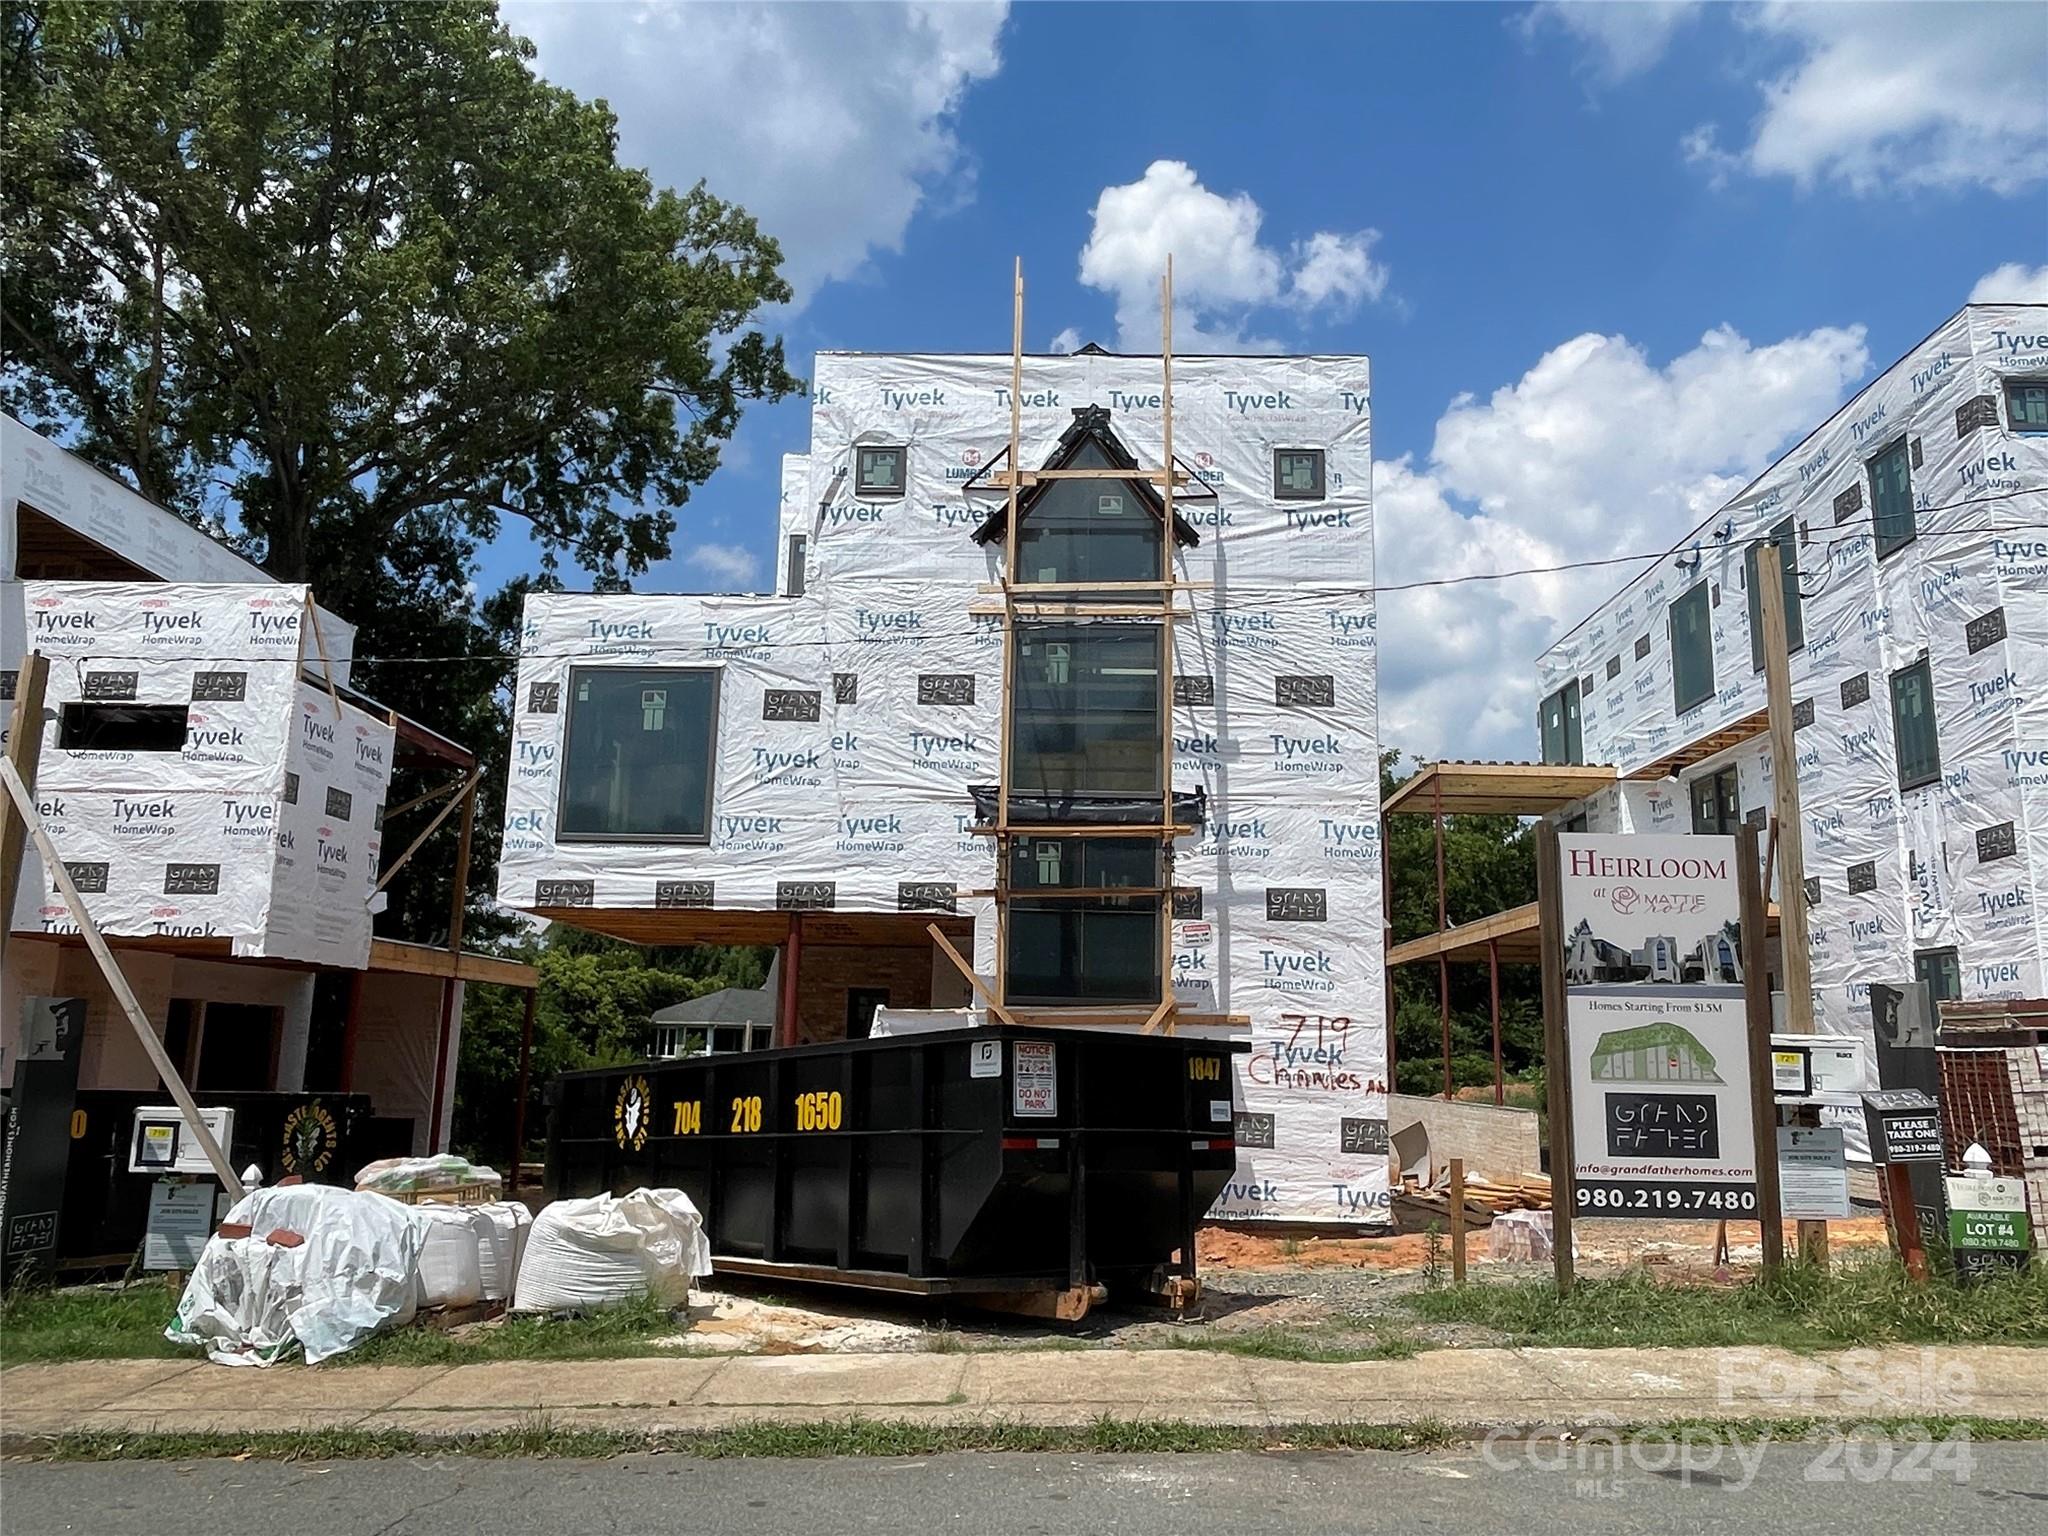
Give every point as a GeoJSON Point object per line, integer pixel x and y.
{"type": "Point", "coordinates": [1222, 271]}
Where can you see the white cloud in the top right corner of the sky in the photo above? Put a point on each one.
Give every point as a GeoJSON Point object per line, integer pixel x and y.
{"type": "Point", "coordinates": [1900, 97]}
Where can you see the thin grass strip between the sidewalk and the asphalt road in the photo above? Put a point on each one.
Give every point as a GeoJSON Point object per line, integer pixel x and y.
{"type": "Point", "coordinates": [892, 1439]}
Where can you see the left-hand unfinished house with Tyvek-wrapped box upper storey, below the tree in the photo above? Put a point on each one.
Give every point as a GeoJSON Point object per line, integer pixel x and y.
{"type": "Point", "coordinates": [218, 794]}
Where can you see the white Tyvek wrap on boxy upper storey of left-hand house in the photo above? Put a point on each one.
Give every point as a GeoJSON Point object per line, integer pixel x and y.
{"type": "Point", "coordinates": [198, 843]}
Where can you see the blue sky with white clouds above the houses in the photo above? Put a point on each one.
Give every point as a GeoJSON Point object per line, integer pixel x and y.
{"type": "Point", "coordinates": [1607, 259]}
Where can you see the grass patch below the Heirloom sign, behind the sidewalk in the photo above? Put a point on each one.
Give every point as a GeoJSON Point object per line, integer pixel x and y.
{"type": "Point", "coordinates": [1861, 1302]}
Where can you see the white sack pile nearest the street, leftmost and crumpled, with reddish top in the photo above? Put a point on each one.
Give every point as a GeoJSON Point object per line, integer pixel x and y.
{"type": "Point", "coordinates": [355, 1271]}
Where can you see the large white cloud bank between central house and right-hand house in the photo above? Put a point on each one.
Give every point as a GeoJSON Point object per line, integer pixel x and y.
{"type": "Point", "coordinates": [1592, 454]}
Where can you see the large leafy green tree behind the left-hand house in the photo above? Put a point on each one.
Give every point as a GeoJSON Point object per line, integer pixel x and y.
{"type": "Point", "coordinates": [349, 284]}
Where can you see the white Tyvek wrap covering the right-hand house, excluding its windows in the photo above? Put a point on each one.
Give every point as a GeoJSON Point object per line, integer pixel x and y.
{"type": "Point", "coordinates": [1955, 863]}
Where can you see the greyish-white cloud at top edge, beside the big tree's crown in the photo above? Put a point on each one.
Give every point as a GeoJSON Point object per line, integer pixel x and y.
{"type": "Point", "coordinates": [828, 124]}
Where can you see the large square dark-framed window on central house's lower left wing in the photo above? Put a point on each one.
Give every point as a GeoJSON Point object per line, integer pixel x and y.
{"type": "Point", "coordinates": [638, 759]}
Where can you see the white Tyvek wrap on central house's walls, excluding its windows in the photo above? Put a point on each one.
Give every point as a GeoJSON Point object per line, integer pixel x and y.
{"type": "Point", "coordinates": [853, 720]}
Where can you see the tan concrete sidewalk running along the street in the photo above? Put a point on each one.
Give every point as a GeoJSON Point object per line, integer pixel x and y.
{"type": "Point", "coordinates": [1463, 1388]}
